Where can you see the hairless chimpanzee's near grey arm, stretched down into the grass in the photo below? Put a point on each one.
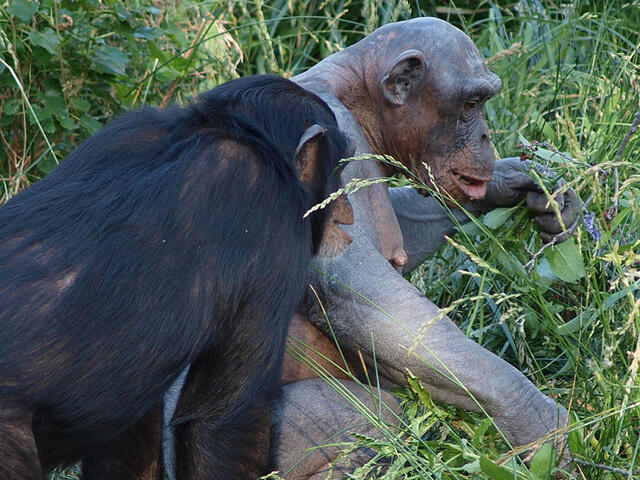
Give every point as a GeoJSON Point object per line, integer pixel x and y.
{"type": "Point", "coordinates": [372, 308]}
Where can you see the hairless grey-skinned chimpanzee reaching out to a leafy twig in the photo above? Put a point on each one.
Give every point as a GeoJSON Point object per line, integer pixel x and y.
{"type": "Point", "coordinates": [414, 90]}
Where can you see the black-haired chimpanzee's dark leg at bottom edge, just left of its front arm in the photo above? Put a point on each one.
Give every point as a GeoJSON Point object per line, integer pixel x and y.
{"type": "Point", "coordinates": [134, 455]}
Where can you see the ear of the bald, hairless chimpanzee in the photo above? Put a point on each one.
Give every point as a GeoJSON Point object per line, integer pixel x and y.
{"type": "Point", "coordinates": [404, 77]}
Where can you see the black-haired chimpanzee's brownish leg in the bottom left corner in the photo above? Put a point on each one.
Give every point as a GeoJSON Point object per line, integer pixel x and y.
{"type": "Point", "coordinates": [18, 452]}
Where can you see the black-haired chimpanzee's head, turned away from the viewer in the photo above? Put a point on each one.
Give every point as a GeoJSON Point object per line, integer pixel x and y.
{"type": "Point", "coordinates": [299, 125]}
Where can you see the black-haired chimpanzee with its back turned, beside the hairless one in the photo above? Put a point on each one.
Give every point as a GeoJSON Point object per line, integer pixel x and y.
{"type": "Point", "coordinates": [170, 237]}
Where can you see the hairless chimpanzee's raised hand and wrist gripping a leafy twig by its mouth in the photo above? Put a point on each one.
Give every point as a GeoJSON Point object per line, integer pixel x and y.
{"type": "Point", "coordinates": [512, 182]}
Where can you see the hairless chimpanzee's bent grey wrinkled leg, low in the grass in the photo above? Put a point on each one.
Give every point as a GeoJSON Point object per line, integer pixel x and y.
{"type": "Point", "coordinates": [314, 414]}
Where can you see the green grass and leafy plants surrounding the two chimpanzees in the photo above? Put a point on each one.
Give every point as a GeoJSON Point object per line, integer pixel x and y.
{"type": "Point", "coordinates": [567, 315]}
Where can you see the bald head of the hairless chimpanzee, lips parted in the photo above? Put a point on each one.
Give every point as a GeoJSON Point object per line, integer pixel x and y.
{"type": "Point", "coordinates": [428, 85]}
